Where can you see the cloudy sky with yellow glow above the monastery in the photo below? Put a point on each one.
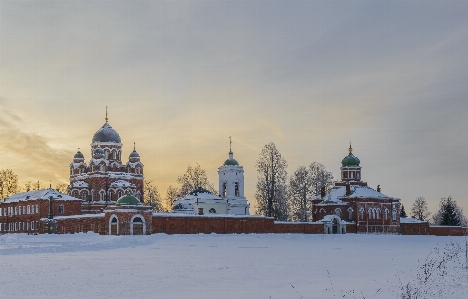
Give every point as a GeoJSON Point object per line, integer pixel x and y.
{"type": "Point", "coordinates": [180, 77]}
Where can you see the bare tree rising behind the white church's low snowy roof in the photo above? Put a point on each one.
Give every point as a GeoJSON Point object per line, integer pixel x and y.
{"type": "Point", "coordinates": [193, 178]}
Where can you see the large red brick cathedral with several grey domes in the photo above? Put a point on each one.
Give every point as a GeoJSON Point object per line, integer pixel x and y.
{"type": "Point", "coordinates": [105, 178]}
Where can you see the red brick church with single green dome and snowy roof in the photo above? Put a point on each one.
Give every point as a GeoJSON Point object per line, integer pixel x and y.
{"type": "Point", "coordinates": [353, 201]}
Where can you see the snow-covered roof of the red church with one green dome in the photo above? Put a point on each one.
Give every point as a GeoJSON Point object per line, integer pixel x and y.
{"type": "Point", "coordinates": [339, 192]}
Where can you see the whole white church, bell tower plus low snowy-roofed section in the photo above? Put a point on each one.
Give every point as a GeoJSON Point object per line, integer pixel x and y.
{"type": "Point", "coordinates": [231, 199]}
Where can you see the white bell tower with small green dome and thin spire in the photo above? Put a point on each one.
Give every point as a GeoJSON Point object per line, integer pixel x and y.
{"type": "Point", "coordinates": [231, 185]}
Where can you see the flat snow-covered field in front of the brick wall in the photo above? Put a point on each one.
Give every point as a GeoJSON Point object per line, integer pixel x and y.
{"type": "Point", "coordinates": [225, 266]}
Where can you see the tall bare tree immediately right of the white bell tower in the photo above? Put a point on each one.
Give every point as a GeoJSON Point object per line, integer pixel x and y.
{"type": "Point", "coordinates": [271, 194]}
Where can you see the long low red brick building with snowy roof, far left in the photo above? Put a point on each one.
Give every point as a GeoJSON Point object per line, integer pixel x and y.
{"type": "Point", "coordinates": [22, 212]}
